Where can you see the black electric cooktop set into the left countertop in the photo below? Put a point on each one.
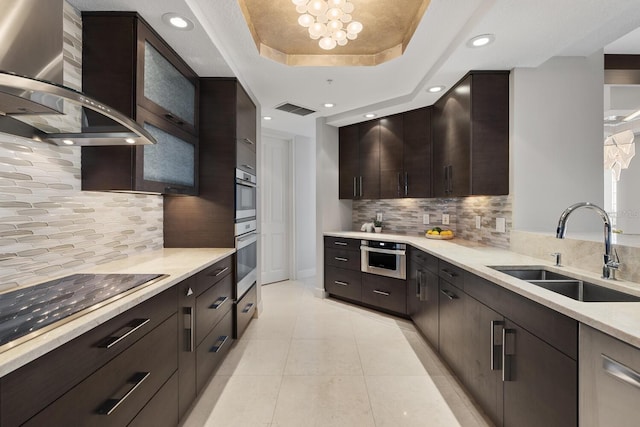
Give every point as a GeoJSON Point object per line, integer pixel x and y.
{"type": "Point", "coordinates": [32, 309]}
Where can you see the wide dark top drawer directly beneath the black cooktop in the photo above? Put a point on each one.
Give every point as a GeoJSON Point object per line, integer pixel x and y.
{"type": "Point", "coordinates": [56, 372]}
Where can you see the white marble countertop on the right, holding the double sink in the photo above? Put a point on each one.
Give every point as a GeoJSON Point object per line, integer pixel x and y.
{"type": "Point", "coordinates": [619, 319]}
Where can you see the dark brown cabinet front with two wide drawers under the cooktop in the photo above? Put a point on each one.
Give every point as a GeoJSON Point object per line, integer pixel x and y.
{"type": "Point", "coordinates": [74, 380]}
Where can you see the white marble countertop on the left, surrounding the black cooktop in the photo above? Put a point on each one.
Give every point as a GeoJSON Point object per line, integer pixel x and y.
{"type": "Point", "coordinates": [178, 263]}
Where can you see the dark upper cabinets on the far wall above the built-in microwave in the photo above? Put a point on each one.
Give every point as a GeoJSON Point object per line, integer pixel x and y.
{"type": "Point", "coordinates": [386, 158]}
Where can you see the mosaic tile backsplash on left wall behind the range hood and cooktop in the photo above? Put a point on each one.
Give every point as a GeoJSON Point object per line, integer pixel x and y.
{"type": "Point", "coordinates": [48, 226]}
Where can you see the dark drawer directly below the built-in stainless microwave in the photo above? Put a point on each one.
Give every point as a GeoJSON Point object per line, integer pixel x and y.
{"type": "Point", "coordinates": [385, 292]}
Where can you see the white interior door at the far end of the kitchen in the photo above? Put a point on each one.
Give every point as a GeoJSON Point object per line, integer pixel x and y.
{"type": "Point", "coordinates": [276, 207]}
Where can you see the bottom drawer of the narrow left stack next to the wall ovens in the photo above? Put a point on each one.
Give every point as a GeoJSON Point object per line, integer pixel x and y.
{"type": "Point", "coordinates": [213, 349]}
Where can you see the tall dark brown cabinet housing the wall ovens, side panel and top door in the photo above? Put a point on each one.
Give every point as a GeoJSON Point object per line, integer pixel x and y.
{"type": "Point", "coordinates": [208, 220]}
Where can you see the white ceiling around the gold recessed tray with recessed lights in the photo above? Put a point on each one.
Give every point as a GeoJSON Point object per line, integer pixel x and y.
{"type": "Point", "coordinates": [528, 32]}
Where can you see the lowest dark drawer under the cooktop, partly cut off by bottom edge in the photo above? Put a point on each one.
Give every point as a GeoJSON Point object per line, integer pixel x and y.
{"type": "Point", "coordinates": [162, 409]}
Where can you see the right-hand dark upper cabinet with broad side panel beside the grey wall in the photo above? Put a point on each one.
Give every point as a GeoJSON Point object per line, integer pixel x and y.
{"type": "Point", "coordinates": [471, 137]}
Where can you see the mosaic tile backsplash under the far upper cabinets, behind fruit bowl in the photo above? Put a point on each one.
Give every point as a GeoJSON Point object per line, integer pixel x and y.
{"type": "Point", "coordinates": [404, 216]}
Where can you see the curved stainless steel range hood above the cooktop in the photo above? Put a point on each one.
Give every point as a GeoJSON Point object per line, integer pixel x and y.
{"type": "Point", "coordinates": [33, 101]}
